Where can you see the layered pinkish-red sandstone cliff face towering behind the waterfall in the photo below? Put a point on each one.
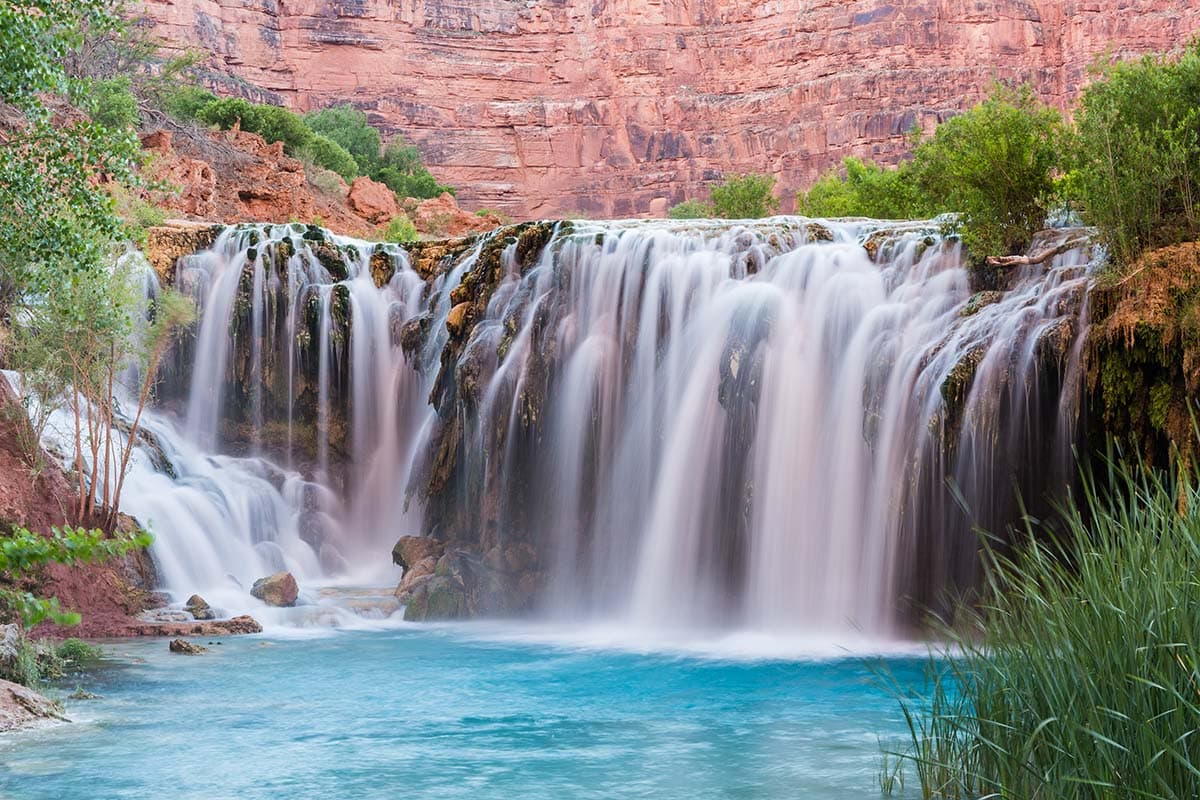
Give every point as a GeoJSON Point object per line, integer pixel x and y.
{"type": "Point", "coordinates": [605, 107]}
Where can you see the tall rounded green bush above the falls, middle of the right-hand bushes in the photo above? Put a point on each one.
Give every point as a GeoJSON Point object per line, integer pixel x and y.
{"type": "Point", "coordinates": [994, 166]}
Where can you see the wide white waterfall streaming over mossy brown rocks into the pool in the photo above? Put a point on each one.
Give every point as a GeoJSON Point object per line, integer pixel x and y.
{"type": "Point", "coordinates": [784, 425]}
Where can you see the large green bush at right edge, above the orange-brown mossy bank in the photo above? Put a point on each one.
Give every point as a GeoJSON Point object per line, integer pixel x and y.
{"type": "Point", "coordinates": [1137, 155]}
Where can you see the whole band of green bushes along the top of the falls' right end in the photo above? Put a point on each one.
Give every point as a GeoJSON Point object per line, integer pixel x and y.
{"type": "Point", "coordinates": [1130, 166]}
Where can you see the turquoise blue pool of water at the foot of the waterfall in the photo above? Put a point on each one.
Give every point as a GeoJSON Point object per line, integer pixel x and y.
{"type": "Point", "coordinates": [459, 713]}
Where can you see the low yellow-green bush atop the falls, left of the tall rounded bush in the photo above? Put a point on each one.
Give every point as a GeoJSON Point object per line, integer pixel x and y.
{"type": "Point", "coordinates": [866, 190]}
